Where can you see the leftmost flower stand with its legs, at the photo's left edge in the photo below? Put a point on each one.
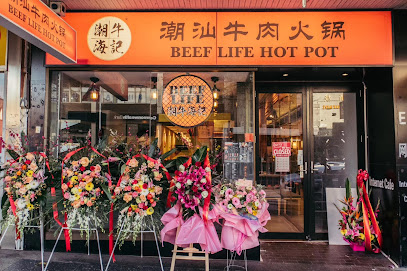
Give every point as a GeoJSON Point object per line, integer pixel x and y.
{"type": "Point", "coordinates": [25, 187]}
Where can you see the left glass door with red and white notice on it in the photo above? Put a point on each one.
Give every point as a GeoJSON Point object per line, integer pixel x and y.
{"type": "Point", "coordinates": [280, 160]}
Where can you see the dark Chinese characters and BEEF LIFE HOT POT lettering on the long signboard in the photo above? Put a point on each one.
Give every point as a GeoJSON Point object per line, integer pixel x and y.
{"type": "Point", "coordinates": [266, 30]}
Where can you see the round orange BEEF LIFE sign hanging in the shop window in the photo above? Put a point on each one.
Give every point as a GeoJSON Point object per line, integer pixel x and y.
{"type": "Point", "coordinates": [187, 100]}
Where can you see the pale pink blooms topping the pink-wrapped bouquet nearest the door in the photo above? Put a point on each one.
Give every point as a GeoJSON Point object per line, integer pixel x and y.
{"type": "Point", "coordinates": [239, 198]}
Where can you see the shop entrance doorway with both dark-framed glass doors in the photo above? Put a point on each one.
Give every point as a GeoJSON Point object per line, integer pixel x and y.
{"type": "Point", "coordinates": [307, 141]}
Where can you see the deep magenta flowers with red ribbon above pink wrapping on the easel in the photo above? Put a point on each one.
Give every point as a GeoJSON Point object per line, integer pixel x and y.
{"type": "Point", "coordinates": [191, 184]}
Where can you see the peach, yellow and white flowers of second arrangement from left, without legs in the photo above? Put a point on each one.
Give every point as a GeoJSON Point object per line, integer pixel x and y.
{"type": "Point", "coordinates": [85, 191]}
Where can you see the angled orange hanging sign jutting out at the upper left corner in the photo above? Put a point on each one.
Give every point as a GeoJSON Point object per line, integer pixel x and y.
{"type": "Point", "coordinates": [35, 22]}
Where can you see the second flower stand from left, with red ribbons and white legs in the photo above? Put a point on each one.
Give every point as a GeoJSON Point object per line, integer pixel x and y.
{"type": "Point", "coordinates": [82, 194]}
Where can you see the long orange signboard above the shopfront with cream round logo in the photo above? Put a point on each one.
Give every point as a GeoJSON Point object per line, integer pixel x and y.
{"type": "Point", "coordinates": [337, 38]}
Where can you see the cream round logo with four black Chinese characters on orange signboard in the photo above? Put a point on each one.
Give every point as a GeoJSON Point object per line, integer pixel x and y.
{"type": "Point", "coordinates": [109, 38]}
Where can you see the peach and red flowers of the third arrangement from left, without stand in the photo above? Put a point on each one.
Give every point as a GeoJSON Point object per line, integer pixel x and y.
{"type": "Point", "coordinates": [138, 193]}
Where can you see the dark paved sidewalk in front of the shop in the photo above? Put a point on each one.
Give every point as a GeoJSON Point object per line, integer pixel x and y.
{"type": "Point", "coordinates": [285, 256]}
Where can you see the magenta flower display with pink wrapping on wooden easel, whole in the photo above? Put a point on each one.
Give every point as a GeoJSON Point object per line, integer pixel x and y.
{"type": "Point", "coordinates": [192, 185]}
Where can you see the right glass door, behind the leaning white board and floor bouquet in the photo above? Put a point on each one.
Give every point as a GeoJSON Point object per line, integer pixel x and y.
{"type": "Point", "coordinates": [334, 146]}
